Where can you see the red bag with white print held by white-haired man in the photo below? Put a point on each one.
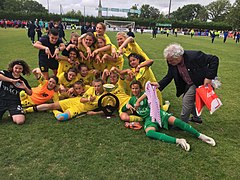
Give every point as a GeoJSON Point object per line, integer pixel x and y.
{"type": "Point", "coordinates": [206, 96]}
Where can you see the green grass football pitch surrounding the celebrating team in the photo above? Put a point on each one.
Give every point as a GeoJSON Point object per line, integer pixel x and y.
{"type": "Point", "coordinates": [93, 147]}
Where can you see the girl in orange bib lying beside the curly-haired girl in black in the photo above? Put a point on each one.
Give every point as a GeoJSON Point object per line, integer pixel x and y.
{"type": "Point", "coordinates": [47, 90]}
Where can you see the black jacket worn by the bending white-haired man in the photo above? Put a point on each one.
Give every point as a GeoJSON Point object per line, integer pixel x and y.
{"type": "Point", "coordinates": [199, 66]}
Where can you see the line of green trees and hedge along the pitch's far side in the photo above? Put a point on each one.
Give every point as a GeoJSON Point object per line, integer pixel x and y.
{"type": "Point", "coordinates": [222, 14]}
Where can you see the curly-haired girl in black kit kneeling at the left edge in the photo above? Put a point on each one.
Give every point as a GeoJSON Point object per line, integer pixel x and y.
{"type": "Point", "coordinates": [11, 83]}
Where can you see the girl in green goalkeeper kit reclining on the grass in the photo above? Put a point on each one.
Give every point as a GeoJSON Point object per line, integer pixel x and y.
{"type": "Point", "coordinates": [139, 105]}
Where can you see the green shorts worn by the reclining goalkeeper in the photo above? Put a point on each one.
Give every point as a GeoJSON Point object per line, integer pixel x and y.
{"type": "Point", "coordinates": [164, 119]}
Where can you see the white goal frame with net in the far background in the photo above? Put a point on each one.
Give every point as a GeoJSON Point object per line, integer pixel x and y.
{"type": "Point", "coordinates": [114, 25]}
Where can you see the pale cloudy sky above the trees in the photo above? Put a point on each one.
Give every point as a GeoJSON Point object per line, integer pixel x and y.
{"type": "Point", "coordinates": [88, 7]}
